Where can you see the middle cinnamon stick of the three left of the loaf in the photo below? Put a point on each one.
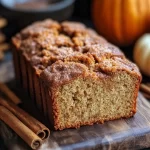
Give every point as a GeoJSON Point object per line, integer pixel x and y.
{"type": "Point", "coordinates": [38, 128]}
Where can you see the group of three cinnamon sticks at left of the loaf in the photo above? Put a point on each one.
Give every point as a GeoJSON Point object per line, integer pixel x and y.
{"type": "Point", "coordinates": [28, 128]}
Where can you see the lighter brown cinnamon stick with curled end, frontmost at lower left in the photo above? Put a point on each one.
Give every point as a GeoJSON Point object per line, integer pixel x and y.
{"type": "Point", "coordinates": [24, 132]}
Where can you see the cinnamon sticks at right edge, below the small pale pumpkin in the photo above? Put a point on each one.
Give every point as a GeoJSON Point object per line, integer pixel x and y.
{"type": "Point", "coordinates": [145, 90]}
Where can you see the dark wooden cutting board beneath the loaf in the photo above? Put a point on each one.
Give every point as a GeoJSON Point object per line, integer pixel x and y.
{"type": "Point", "coordinates": [123, 134]}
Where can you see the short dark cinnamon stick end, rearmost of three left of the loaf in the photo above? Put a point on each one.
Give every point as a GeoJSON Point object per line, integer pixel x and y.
{"type": "Point", "coordinates": [9, 94]}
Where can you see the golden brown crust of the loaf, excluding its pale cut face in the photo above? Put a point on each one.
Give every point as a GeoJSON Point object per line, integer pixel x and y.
{"type": "Point", "coordinates": [60, 53]}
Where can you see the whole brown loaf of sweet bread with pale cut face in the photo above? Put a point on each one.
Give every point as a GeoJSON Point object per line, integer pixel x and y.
{"type": "Point", "coordinates": [74, 76]}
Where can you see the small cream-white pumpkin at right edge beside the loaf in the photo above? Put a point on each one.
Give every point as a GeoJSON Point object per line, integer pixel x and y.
{"type": "Point", "coordinates": [141, 54]}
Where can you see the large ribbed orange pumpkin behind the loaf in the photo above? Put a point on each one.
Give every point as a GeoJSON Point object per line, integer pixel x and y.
{"type": "Point", "coordinates": [121, 21]}
